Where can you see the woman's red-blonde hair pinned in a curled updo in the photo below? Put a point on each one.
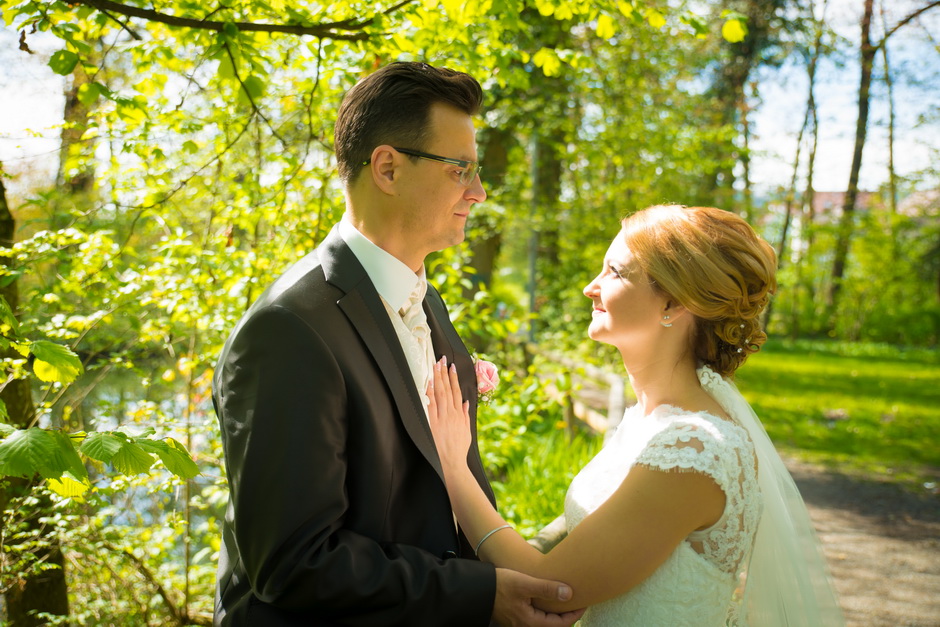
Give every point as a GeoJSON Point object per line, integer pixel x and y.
{"type": "Point", "coordinates": [712, 263]}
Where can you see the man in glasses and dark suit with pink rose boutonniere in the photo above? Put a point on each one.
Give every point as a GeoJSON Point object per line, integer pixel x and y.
{"type": "Point", "coordinates": [338, 514]}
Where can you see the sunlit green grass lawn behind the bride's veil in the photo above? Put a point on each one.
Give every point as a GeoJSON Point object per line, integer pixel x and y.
{"type": "Point", "coordinates": [859, 407]}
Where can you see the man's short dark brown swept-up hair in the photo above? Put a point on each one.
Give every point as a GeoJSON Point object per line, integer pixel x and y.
{"type": "Point", "coordinates": [392, 106]}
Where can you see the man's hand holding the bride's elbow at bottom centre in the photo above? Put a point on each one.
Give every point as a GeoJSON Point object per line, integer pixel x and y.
{"type": "Point", "coordinates": [515, 593]}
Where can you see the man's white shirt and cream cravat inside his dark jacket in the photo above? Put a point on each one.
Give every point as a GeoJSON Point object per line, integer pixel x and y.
{"type": "Point", "coordinates": [395, 282]}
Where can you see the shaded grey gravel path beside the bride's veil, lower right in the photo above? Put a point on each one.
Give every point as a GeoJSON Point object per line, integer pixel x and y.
{"type": "Point", "coordinates": [882, 544]}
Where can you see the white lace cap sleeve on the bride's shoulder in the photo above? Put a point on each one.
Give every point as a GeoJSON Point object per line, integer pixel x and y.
{"type": "Point", "coordinates": [689, 445]}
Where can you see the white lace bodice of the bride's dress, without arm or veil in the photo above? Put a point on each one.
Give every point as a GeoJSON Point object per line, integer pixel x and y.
{"type": "Point", "coordinates": [696, 584]}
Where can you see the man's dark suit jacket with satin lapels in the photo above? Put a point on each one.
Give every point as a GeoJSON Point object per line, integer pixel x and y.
{"type": "Point", "coordinates": [338, 513]}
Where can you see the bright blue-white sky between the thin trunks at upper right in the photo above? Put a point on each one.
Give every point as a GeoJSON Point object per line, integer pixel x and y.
{"type": "Point", "coordinates": [915, 61]}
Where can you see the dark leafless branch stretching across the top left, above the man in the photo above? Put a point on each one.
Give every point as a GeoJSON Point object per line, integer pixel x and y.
{"type": "Point", "coordinates": [326, 29]}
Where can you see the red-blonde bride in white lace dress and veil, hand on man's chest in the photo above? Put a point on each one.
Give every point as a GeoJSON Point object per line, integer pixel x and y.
{"type": "Point", "coordinates": [687, 516]}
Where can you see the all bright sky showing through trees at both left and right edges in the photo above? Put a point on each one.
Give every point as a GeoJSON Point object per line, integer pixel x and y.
{"type": "Point", "coordinates": [31, 105]}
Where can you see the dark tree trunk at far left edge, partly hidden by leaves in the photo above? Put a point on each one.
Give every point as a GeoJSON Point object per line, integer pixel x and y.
{"type": "Point", "coordinates": [45, 591]}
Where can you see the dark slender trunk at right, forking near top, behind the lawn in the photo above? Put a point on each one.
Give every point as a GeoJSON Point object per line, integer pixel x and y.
{"type": "Point", "coordinates": [847, 219]}
